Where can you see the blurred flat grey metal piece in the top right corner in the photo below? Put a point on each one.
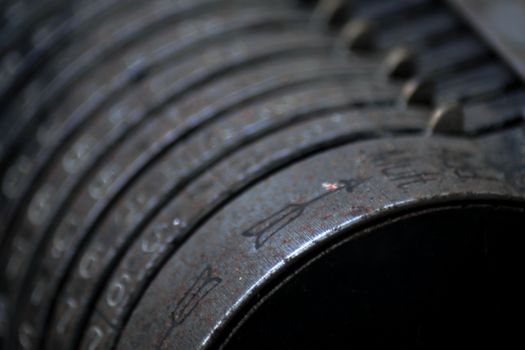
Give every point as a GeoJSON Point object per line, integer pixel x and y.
{"type": "Point", "coordinates": [502, 23]}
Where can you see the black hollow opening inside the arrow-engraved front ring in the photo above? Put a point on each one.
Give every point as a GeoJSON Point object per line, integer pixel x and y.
{"type": "Point", "coordinates": [451, 277]}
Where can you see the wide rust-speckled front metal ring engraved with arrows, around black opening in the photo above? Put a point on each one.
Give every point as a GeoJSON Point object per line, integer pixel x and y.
{"type": "Point", "coordinates": [226, 261]}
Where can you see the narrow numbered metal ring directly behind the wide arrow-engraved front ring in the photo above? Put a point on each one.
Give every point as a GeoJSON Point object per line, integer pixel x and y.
{"type": "Point", "coordinates": [218, 185]}
